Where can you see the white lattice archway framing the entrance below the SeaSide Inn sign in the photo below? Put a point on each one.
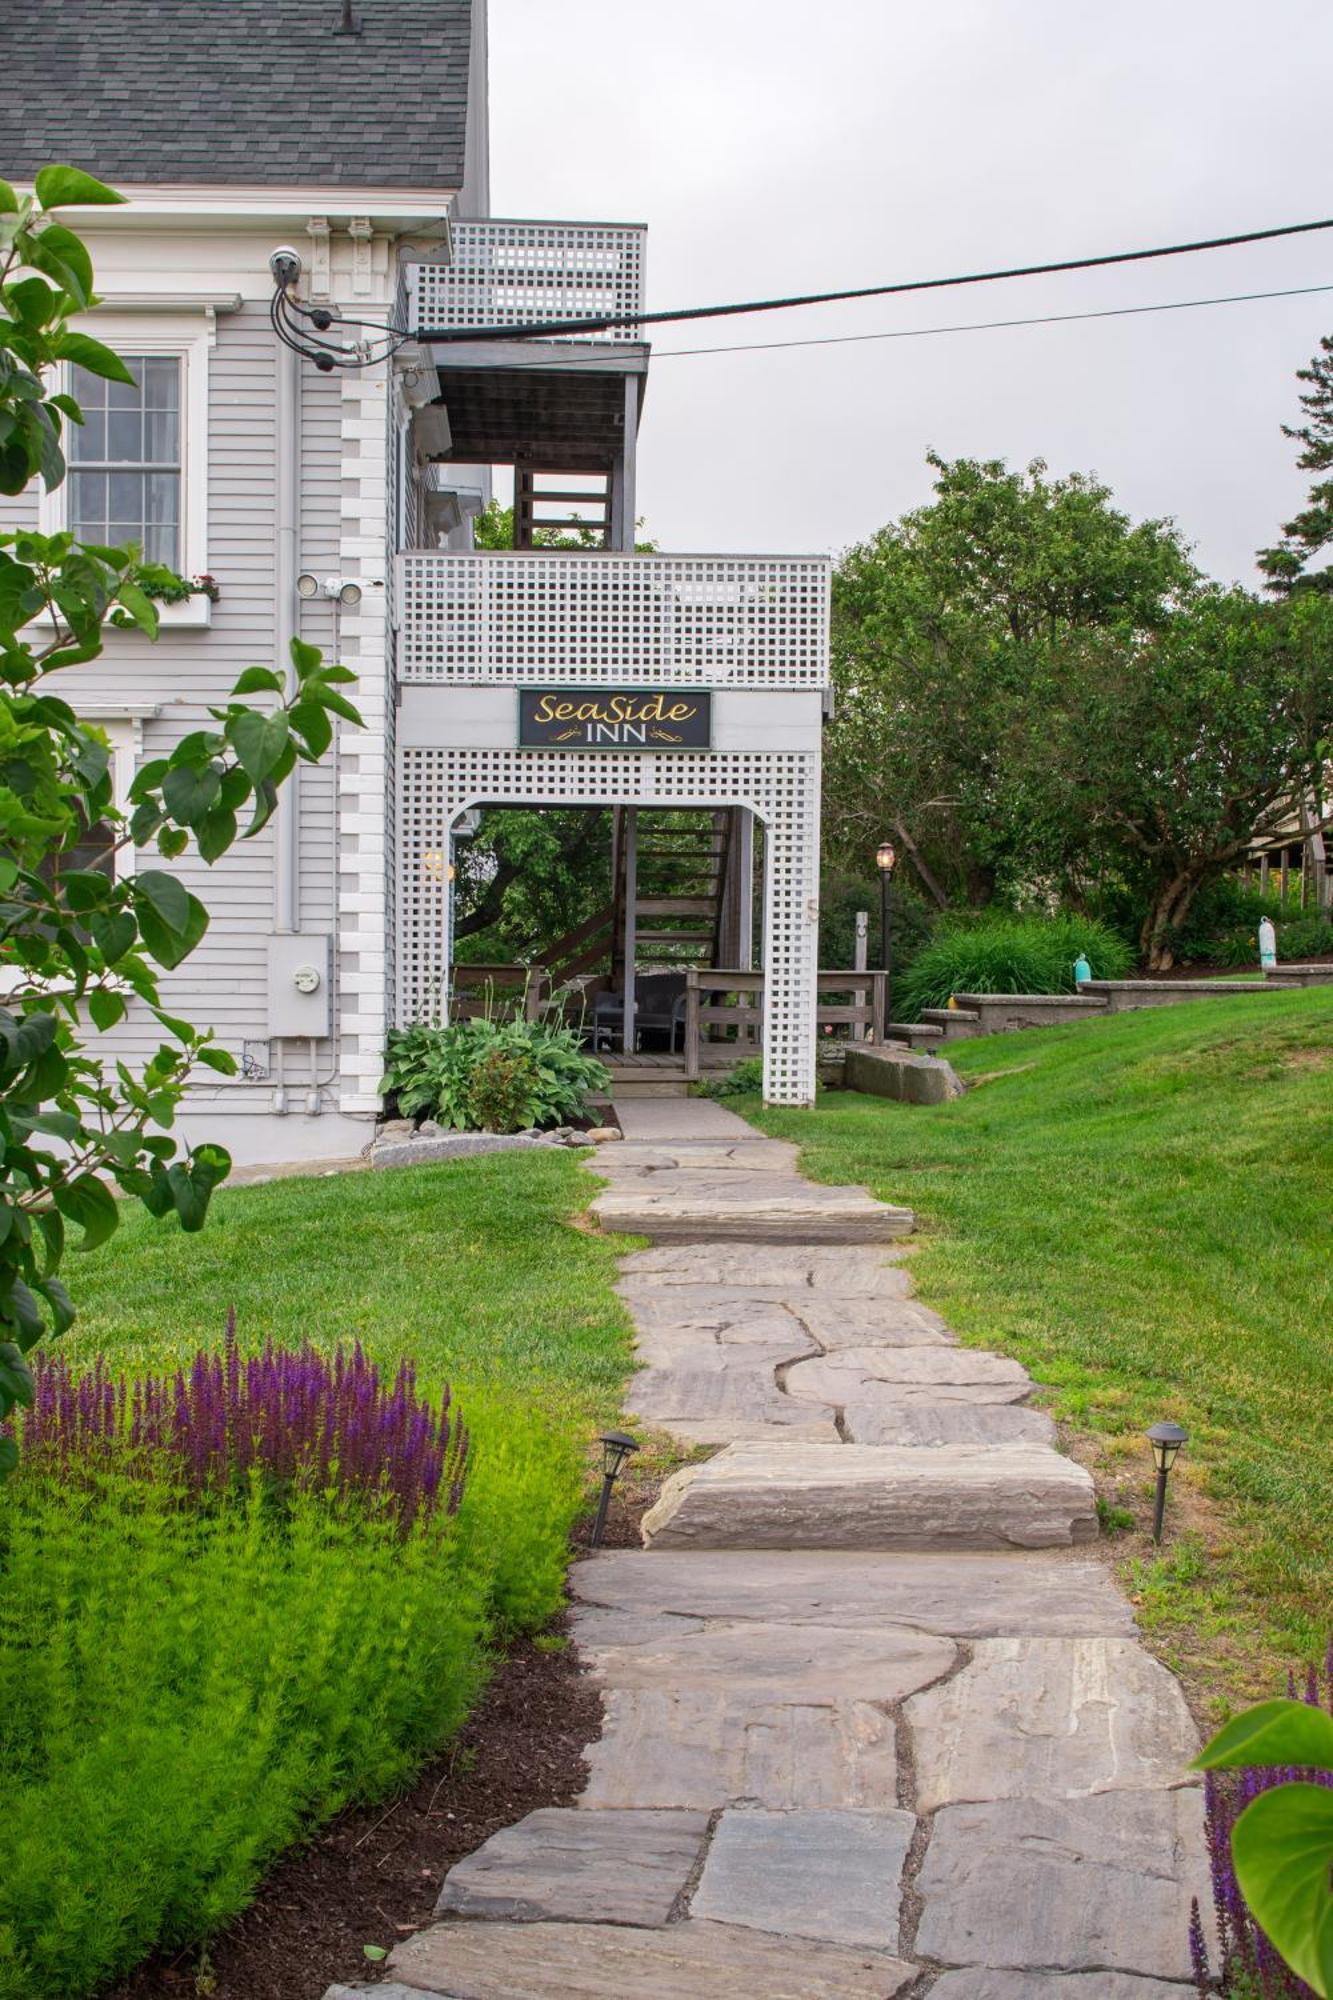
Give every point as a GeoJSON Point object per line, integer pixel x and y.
{"type": "Point", "coordinates": [784, 789]}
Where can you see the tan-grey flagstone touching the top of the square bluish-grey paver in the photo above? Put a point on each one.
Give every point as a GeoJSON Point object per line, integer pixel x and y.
{"type": "Point", "coordinates": [734, 1749]}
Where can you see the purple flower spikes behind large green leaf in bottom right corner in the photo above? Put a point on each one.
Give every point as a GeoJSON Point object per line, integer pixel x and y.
{"type": "Point", "coordinates": [1250, 1965]}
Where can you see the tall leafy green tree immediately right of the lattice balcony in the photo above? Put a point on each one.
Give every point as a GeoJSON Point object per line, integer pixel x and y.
{"type": "Point", "coordinates": [944, 625]}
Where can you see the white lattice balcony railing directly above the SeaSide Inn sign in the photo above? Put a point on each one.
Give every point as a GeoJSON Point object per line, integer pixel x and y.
{"type": "Point", "coordinates": [591, 621]}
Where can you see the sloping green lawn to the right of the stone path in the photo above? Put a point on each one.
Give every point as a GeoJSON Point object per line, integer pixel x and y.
{"type": "Point", "coordinates": [1142, 1211]}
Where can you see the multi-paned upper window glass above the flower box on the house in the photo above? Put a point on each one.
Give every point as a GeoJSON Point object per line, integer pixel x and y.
{"type": "Point", "coordinates": [125, 459]}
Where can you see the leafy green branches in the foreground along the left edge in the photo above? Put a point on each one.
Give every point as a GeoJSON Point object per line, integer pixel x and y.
{"type": "Point", "coordinates": [81, 943]}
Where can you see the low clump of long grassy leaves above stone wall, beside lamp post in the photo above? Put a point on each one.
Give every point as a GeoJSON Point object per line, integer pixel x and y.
{"type": "Point", "coordinates": [1008, 955]}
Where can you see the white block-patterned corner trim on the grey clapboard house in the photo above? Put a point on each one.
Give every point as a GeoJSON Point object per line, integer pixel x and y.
{"type": "Point", "coordinates": [365, 757]}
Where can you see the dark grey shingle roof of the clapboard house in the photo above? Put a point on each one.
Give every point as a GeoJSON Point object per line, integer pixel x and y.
{"type": "Point", "coordinates": [223, 93]}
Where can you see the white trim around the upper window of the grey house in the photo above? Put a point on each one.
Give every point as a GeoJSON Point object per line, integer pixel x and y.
{"type": "Point", "coordinates": [189, 337]}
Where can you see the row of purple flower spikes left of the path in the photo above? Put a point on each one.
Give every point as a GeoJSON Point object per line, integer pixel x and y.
{"type": "Point", "coordinates": [301, 1421]}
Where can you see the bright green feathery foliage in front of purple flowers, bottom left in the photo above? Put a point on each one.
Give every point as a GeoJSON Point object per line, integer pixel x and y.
{"type": "Point", "coordinates": [185, 1691]}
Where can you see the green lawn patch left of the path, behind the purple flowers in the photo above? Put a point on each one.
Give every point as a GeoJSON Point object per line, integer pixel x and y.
{"type": "Point", "coordinates": [471, 1269]}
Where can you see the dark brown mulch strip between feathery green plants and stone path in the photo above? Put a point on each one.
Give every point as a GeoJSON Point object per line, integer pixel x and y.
{"type": "Point", "coordinates": [375, 1873]}
